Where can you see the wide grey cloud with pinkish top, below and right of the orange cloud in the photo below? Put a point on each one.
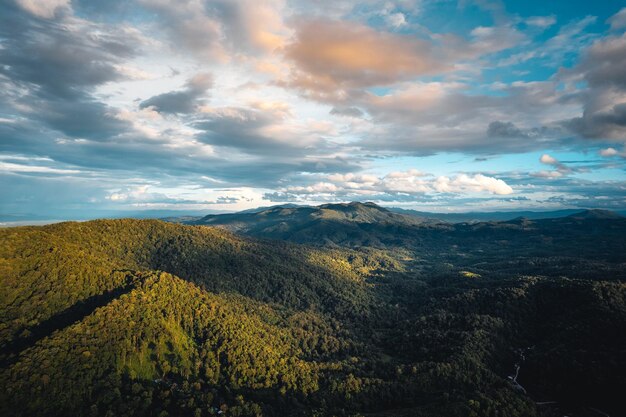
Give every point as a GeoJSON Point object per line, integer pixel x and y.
{"type": "Point", "coordinates": [428, 117]}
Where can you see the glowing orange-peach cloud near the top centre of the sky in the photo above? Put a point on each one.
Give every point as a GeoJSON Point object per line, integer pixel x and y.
{"type": "Point", "coordinates": [333, 54]}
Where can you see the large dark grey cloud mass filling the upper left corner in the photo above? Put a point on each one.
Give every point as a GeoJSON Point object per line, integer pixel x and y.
{"type": "Point", "coordinates": [51, 67]}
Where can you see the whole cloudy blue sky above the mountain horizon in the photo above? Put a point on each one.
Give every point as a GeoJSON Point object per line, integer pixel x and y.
{"type": "Point", "coordinates": [224, 105]}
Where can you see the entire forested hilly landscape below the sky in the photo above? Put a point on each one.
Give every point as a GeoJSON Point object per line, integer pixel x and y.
{"type": "Point", "coordinates": [347, 310]}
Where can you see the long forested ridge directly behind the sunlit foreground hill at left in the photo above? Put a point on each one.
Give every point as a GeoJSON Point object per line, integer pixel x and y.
{"type": "Point", "coordinates": [52, 267]}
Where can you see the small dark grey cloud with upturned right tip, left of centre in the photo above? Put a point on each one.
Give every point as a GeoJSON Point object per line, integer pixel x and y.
{"type": "Point", "coordinates": [181, 101]}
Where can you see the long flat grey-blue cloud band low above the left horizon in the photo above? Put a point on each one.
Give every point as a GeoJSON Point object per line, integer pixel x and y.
{"type": "Point", "coordinates": [133, 156]}
